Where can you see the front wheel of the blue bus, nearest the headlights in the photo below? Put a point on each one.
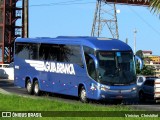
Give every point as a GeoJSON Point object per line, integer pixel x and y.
{"type": "Point", "coordinates": [82, 95]}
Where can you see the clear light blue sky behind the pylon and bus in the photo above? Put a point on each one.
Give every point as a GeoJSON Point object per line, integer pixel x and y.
{"type": "Point", "coordinates": [52, 18]}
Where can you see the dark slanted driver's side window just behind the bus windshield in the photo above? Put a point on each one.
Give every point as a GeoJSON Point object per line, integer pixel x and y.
{"type": "Point", "coordinates": [90, 66]}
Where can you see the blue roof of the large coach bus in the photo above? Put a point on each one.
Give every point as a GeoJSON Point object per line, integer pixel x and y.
{"type": "Point", "coordinates": [93, 42]}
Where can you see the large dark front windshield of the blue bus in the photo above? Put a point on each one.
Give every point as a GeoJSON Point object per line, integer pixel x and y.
{"type": "Point", "coordinates": [116, 68]}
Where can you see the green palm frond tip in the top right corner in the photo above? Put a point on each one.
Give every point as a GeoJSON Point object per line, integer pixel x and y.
{"type": "Point", "coordinates": [155, 6]}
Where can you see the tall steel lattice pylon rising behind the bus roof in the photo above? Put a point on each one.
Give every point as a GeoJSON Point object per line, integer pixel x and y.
{"type": "Point", "coordinates": [105, 15]}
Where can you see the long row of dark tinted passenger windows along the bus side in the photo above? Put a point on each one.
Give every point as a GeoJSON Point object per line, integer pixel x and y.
{"type": "Point", "coordinates": [51, 52]}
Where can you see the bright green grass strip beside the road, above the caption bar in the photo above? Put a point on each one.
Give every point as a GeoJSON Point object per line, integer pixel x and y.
{"type": "Point", "coordinates": [18, 103]}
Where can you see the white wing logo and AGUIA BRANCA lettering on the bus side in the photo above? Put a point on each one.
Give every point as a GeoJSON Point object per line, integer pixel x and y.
{"type": "Point", "coordinates": [55, 67]}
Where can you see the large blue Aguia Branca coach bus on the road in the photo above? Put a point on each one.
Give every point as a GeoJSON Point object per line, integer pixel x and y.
{"type": "Point", "coordinates": [86, 67]}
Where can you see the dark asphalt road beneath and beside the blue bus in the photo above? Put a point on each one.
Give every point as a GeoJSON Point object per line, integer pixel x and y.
{"type": "Point", "coordinates": [7, 87]}
